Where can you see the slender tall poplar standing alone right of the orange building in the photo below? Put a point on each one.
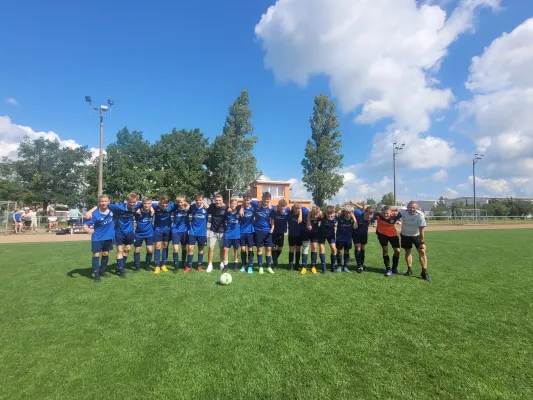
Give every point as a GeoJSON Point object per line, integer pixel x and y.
{"type": "Point", "coordinates": [323, 158]}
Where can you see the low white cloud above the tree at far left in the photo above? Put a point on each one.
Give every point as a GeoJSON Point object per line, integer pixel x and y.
{"type": "Point", "coordinates": [11, 135]}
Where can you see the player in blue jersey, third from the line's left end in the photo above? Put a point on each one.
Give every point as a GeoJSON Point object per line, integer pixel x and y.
{"type": "Point", "coordinates": [144, 232]}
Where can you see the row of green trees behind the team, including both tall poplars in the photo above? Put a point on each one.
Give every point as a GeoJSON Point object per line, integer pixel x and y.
{"type": "Point", "coordinates": [180, 162]}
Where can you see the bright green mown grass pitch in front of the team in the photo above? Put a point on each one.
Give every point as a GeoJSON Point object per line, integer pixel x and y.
{"type": "Point", "coordinates": [467, 334]}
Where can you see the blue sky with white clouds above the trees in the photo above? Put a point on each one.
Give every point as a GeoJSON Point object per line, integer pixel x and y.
{"type": "Point", "coordinates": [447, 77]}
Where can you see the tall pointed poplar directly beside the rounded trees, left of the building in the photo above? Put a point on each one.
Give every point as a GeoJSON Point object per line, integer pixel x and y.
{"type": "Point", "coordinates": [230, 161]}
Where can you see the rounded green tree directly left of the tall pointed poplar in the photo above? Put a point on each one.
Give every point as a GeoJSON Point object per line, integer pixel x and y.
{"type": "Point", "coordinates": [179, 160]}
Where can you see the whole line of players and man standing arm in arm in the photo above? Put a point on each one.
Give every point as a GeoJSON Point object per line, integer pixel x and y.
{"type": "Point", "coordinates": [245, 226]}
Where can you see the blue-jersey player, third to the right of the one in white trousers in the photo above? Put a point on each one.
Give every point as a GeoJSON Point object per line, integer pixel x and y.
{"type": "Point", "coordinates": [263, 231]}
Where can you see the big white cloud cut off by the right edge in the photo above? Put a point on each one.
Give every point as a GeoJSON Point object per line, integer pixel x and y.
{"type": "Point", "coordinates": [500, 111]}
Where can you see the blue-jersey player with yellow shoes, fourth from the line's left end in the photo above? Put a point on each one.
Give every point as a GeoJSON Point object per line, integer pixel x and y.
{"type": "Point", "coordinates": [162, 231]}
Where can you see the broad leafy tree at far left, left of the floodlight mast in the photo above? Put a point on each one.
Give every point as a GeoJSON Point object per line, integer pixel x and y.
{"type": "Point", "coordinates": [49, 172]}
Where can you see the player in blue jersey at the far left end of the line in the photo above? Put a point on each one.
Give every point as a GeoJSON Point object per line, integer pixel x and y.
{"type": "Point", "coordinates": [101, 227]}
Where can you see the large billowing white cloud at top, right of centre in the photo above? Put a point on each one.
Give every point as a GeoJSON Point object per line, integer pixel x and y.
{"type": "Point", "coordinates": [379, 56]}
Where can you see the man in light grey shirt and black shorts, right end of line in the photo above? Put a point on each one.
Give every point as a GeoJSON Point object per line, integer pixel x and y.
{"type": "Point", "coordinates": [412, 233]}
